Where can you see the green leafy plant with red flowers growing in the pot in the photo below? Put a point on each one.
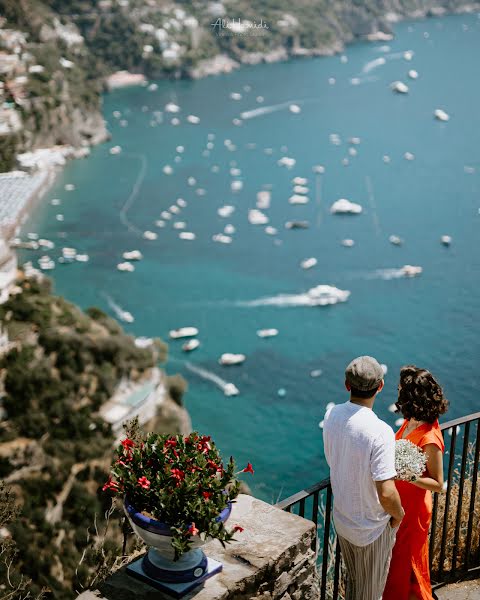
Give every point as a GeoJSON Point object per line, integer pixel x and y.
{"type": "Point", "coordinates": [177, 480]}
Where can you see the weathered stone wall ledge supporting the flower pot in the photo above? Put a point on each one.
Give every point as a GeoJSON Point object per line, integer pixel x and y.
{"type": "Point", "coordinates": [272, 560]}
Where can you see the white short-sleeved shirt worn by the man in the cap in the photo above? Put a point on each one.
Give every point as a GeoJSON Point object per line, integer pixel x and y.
{"type": "Point", "coordinates": [360, 450]}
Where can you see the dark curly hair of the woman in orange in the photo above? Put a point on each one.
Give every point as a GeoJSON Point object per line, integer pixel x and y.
{"type": "Point", "coordinates": [419, 396]}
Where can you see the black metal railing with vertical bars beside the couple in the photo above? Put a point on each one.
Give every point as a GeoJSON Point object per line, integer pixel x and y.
{"type": "Point", "coordinates": [454, 543]}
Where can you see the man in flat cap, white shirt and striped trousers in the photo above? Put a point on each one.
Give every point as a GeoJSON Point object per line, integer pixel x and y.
{"type": "Point", "coordinates": [360, 451]}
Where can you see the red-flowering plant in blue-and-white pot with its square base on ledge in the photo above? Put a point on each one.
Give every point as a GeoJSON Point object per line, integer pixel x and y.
{"type": "Point", "coordinates": [176, 493]}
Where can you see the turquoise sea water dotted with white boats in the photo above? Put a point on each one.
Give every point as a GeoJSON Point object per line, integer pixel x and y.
{"type": "Point", "coordinates": [431, 320]}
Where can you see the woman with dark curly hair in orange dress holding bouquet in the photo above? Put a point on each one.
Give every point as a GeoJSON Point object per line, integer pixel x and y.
{"type": "Point", "coordinates": [421, 401]}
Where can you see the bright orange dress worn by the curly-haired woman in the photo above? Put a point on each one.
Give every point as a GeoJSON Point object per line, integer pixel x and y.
{"type": "Point", "coordinates": [409, 571]}
